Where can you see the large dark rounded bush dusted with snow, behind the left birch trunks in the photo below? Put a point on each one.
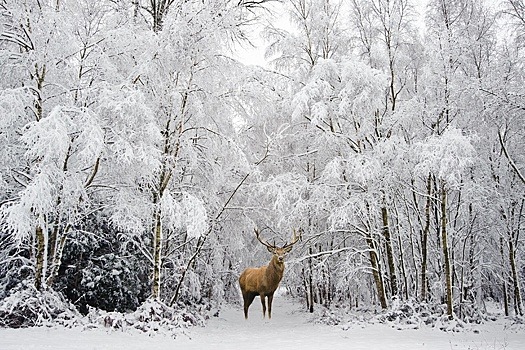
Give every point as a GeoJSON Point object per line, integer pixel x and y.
{"type": "Point", "coordinates": [100, 271]}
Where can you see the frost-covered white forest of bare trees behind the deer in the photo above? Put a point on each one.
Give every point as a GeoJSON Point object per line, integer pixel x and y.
{"type": "Point", "coordinates": [138, 155]}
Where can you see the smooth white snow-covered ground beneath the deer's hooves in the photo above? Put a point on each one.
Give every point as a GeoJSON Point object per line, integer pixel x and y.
{"type": "Point", "coordinates": [290, 328]}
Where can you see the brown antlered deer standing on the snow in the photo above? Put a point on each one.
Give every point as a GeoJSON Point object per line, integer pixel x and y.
{"type": "Point", "coordinates": [263, 281]}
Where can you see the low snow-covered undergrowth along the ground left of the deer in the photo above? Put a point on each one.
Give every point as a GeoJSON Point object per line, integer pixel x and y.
{"type": "Point", "coordinates": [29, 308]}
